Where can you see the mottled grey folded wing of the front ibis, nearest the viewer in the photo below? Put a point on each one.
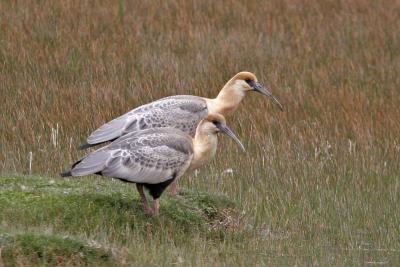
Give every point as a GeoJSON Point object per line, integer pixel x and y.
{"type": "Point", "coordinates": [147, 156]}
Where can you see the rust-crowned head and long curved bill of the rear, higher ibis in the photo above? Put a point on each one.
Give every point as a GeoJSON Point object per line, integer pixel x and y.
{"type": "Point", "coordinates": [244, 82]}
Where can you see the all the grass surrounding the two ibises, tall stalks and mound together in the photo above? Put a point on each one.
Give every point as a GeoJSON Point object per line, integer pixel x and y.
{"type": "Point", "coordinates": [319, 183]}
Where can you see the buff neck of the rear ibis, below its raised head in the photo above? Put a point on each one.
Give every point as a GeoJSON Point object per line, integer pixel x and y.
{"type": "Point", "coordinates": [227, 100]}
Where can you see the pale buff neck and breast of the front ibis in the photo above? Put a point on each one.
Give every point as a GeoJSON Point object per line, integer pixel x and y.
{"type": "Point", "coordinates": [204, 148]}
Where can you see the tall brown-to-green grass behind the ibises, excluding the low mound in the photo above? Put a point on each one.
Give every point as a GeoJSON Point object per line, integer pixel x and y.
{"type": "Point", "coordinates": [328, 164]}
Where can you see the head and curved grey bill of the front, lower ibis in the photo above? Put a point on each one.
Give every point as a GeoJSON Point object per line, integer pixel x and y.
{"type": "Point", "coordinates": [215, 123]}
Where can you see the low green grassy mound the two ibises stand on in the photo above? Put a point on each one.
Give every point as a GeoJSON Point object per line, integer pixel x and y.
{"type": "Point", "coordinates": [36, 213]}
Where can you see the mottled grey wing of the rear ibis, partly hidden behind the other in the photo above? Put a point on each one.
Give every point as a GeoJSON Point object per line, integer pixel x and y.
{"type": "Point", "coordinates": [181, 112]}
